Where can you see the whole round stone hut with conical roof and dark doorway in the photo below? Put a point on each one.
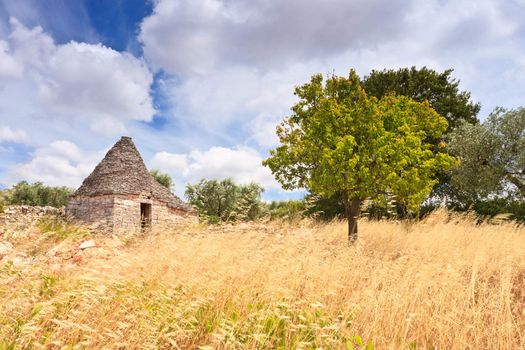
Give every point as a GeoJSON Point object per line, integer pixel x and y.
{"type": "Point", "coordinates": [120, 196]}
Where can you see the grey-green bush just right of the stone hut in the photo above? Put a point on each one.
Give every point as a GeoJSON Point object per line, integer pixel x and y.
{"type": "Point", "coordinates": [224, 200]}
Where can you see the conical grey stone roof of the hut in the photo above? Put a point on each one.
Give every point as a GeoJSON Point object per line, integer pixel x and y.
{"type": "Point", "coordinates": [122, 172]}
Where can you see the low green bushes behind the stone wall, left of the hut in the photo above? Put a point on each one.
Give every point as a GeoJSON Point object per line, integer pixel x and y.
{"type": "Point", "coordinates": [38, 194]}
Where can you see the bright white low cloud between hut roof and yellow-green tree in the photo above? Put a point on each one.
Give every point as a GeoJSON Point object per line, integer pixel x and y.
{"type": "Point", "coordinates": [243, 164]}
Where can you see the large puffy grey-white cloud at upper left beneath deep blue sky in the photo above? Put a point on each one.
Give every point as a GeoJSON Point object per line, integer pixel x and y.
{"type": "Point", "coordinates": [76, 82]}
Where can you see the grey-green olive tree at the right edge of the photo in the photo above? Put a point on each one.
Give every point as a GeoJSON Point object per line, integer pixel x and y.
{"type": "Point", "coordinates": [492, 156]}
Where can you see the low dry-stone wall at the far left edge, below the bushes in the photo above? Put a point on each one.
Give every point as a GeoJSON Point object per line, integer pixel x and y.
{"type": "Point", "coordinates": [19, 216]}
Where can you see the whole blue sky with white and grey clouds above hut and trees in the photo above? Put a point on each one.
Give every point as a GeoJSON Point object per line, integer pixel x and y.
{"type": "Point", "coordinates": [200, 85]}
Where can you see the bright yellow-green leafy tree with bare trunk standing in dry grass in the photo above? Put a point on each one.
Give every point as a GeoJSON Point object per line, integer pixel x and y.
{"type": "Point", "coordinates": [339, 139]}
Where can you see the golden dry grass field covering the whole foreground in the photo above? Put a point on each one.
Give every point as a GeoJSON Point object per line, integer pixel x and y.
{"type": "Point", "coordinates": [437, 284]}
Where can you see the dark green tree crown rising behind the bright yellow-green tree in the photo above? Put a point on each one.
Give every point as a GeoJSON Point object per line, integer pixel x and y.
{"type": "Point", "coordinates": [440, 90]}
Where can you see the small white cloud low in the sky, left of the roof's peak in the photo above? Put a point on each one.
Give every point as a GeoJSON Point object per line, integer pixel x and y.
{"type": "Point", "coordinates": [61, 163]}
